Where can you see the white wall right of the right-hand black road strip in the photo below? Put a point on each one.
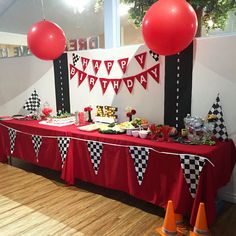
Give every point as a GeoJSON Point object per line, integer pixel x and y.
{"type": "Point", "coordinates": [214, 71]}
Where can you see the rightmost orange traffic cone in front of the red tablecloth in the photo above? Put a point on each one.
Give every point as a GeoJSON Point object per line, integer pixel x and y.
{"type": "Point", "coordinates": [200, 227]}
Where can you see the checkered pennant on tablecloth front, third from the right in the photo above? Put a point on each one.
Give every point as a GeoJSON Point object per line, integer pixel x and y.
{"type": "Point", "coordinates": [95, 150]}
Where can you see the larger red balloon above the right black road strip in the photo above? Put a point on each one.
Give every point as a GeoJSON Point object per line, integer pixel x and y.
{"type": "Point", "coordinates": [169, 26]}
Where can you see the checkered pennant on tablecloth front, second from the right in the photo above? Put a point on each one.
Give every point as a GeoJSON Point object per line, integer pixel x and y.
{"type": "Point", "coordinates": [140, 156]}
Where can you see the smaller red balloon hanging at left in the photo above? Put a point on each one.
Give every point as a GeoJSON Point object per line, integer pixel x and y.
{"type": "Point", "coordinates": [46, 40]}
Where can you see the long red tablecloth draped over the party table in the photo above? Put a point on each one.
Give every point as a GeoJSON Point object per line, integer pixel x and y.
{"type": "Point", "coordinates": [163, 179]}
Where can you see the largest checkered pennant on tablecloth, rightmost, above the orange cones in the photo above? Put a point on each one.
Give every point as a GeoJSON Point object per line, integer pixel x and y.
{"type": "Point", "coordinates": [192, 166]}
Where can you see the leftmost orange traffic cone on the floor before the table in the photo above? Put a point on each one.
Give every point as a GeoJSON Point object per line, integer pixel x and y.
{"type": "Point", "coordinates": [169, 226]}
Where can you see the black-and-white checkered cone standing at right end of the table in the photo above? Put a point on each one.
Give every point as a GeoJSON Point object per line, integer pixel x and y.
{"type": "Point", "coordinates": [219, 131]}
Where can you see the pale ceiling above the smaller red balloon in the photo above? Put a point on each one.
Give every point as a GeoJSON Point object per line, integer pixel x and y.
{"type": "Point", "coordinates": [17, 16]}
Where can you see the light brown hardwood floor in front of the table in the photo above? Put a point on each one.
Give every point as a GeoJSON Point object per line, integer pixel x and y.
{"type": "Point", "coordinates": [33, 201]}
